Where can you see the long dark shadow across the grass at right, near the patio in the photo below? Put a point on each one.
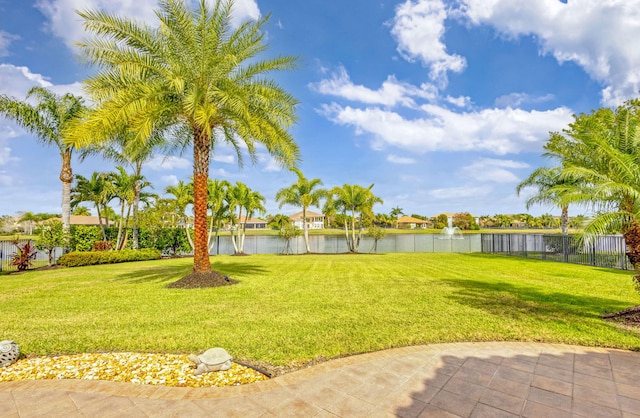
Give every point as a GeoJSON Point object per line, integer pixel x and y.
{"type": "Point", "coordinates": [511, 301]}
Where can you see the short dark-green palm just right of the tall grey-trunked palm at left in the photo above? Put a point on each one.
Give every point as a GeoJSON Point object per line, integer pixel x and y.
{"type": "Point", "coordinates": [99, 190]}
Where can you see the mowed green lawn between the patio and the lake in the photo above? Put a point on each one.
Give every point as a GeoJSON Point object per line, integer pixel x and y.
{"type": "Point", "coordinates": [290, 309]}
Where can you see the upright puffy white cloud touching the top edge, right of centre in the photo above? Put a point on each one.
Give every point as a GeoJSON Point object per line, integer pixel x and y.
{"type": "Point", "coordinates": [418, 27]}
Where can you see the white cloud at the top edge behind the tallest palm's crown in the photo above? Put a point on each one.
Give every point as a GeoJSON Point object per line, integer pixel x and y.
{"type": "Point", "coordinates": [65, 23]}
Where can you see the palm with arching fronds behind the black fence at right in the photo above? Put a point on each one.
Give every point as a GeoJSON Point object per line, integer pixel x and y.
{"type": "Point", "coordinates": [547, 181]}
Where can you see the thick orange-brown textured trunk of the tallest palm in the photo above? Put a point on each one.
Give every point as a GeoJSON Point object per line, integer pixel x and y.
{"type": "Point", "coordinates": [201, 154]}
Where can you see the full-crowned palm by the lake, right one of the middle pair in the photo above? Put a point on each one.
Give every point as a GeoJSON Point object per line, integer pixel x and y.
{"type": "Point", "coordinates": [354, 202]}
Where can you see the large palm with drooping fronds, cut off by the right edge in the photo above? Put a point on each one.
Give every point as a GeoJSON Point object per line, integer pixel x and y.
{"type": "Point", "coordinates": [600, 153]}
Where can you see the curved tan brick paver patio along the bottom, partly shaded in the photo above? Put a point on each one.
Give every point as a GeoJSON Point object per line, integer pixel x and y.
{"type": "Point", "coordinates": [440, 380]}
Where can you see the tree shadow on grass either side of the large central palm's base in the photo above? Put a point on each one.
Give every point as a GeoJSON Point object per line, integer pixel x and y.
{"type": "Point", "coordinates": [170, 273]}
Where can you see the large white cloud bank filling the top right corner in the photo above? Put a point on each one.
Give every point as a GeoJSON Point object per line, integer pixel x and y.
{"type": "Point", "coordinates": [595, 34]}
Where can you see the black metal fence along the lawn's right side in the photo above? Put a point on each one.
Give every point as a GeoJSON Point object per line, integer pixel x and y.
{"type": "Point", "coordinates": [604, 251]}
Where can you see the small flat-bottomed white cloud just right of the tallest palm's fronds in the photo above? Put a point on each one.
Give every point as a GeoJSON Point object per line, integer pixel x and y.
{"type": "Point", "coordinates": [391, 93]}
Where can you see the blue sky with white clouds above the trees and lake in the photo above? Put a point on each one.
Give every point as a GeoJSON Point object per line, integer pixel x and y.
{"type": "Point", "coordinates": [443, 105]}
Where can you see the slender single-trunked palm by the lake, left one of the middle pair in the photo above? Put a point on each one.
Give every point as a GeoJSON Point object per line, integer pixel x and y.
{"type": "Point", "coordinates": [302, 194]}
